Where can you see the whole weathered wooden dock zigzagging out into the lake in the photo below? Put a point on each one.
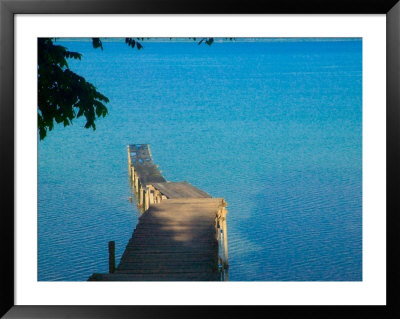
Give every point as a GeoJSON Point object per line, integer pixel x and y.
{"type": "Point", "coordinates": [181, 235]}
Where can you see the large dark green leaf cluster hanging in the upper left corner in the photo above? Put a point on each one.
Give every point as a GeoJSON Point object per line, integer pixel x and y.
{"type": "Point", "coordinates": [63, 94]}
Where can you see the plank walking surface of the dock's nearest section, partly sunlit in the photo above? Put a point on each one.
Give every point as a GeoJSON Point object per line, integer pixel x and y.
{"type": "Point", "coordinates": [169, 238]}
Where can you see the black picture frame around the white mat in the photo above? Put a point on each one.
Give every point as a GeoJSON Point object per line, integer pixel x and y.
{"type": "Point", "coordinates": [8, 8]}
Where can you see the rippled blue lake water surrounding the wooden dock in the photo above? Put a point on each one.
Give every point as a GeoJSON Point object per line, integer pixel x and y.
{"type": "Point", "coordinates": [272, 126]}
